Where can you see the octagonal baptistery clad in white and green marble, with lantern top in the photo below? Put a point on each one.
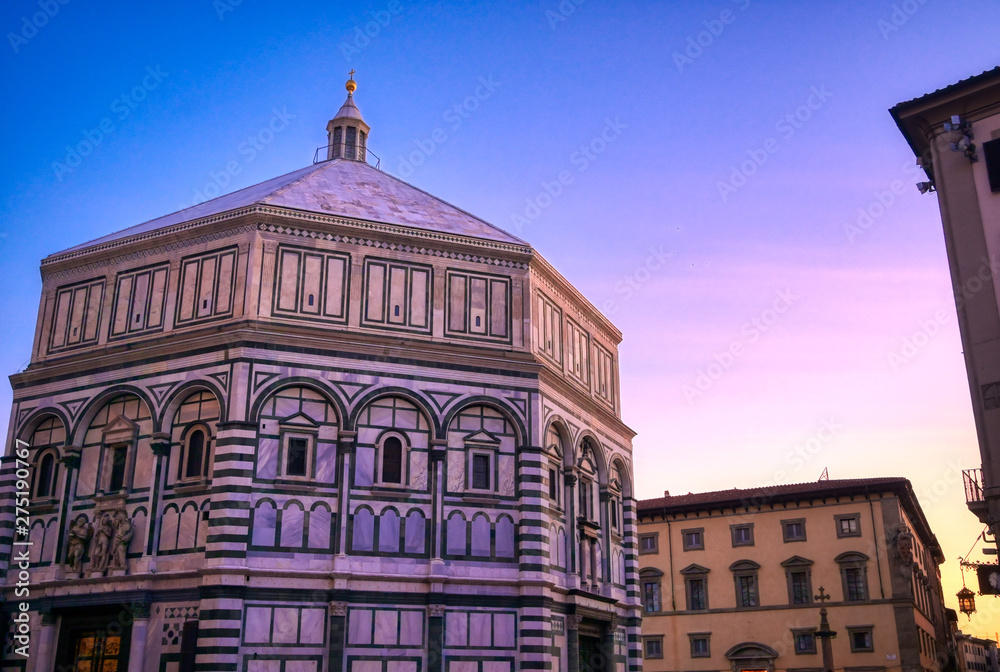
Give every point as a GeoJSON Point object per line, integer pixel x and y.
{"type": "Point", "coordinates": [326, 422]}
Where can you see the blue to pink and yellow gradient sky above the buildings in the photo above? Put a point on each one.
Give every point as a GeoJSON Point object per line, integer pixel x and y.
{"type": "Point", "coordinates": [776, 267]}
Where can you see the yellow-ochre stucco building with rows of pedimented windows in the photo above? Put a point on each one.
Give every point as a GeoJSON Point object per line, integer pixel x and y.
{"type": "Point", "coordinates": [729, 579]}
